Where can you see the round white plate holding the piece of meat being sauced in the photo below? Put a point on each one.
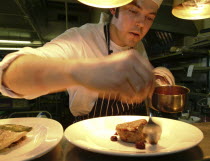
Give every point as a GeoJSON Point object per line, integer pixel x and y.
{"type": "Point", "coordinates": [94, 135]}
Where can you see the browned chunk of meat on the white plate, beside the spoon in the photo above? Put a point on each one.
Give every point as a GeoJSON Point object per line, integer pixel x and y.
{"type": "Point", "coordinates": [131, 131]}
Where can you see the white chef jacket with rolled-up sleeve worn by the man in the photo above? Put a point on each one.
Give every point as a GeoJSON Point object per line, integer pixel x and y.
{"type": "Point", "coordinates": [87, 41]}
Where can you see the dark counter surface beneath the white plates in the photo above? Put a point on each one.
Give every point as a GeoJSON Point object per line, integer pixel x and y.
{"type": "Point", "coordinates": [65, 151]}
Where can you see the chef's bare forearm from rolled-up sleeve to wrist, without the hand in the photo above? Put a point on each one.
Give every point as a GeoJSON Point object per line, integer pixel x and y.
{"type": "Point", "coordinates": [31, 74]}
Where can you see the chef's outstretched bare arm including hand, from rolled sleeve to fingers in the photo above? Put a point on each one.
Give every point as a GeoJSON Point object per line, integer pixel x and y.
{"type": "Point", "coordinates": [127, 74]}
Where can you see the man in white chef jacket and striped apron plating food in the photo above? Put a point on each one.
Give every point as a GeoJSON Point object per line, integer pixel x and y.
{"type": "Point", "coordinates": [104, 67]}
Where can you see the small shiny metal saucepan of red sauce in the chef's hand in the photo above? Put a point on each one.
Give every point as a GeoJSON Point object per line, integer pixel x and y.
{"type": "Point", "coordinates": [169, 99]}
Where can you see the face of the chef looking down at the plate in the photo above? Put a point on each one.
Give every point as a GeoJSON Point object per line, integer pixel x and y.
{"type": "Point", "coordinates": [132, 22]}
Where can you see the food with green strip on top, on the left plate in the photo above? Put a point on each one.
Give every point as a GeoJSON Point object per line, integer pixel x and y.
{"type": "Point", "coordinates": [12, 133]}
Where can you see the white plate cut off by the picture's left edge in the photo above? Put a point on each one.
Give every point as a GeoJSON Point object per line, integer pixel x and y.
{"type": "Point", "coordinates": [44, 136]}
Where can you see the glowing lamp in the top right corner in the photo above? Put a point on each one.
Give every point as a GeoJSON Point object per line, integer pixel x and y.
{"type": "Point", "coordinates": [191, 9]}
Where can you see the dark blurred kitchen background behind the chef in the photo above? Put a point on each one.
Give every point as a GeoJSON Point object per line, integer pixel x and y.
{"type": "Point", "coordinates": [181, 45]}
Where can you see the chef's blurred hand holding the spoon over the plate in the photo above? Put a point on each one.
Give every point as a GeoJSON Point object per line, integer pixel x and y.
{"type": "Point", "coordinates": [126, 74]}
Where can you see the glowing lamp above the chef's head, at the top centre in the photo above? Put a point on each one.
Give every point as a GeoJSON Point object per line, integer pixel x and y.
{"type": "Point", "coordinates": [105, 3]}
